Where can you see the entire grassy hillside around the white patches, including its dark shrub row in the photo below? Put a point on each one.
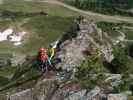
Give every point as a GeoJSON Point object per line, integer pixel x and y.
{"type": "Point", "coordinates": [41, 29]}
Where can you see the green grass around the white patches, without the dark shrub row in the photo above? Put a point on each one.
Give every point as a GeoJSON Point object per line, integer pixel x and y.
{"type": "Point", "coordinates": [42, 29]}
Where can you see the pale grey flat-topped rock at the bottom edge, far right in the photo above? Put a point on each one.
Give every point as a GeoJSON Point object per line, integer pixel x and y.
{"type": "Point", "coordinates": [117, 97]}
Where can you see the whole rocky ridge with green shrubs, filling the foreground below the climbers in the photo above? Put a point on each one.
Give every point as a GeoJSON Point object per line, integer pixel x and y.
{"type": "Point", "coordinates": [101, 66]}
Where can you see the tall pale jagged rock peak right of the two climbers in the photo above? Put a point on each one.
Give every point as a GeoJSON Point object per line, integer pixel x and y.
{"type": "Point", "coordinates": [88, 37]}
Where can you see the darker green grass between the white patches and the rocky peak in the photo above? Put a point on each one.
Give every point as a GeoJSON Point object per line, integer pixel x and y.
{"type": "Point", "coordinates": [45, 30]}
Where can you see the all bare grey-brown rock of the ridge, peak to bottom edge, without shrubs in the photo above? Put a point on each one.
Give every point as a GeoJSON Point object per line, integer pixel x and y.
{"type": "Point", "coordinates": [89, 38]}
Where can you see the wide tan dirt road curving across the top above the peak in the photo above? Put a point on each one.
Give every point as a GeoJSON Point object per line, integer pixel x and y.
{"type": "Point", "coordinates": [91, 14]}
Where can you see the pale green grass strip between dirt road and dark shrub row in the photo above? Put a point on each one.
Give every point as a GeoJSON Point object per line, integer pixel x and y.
{"type": "Point", "coordinates": [51, 9]}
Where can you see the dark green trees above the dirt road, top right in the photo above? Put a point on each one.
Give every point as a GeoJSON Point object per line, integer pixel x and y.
{"type": "Point", "coordinates": [104, 6]}
